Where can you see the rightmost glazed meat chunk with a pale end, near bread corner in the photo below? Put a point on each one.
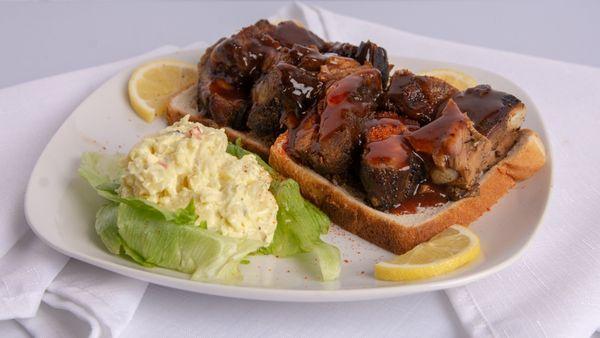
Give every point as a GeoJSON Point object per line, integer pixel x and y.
{"type": "Point", "coordinates": [496, 115]}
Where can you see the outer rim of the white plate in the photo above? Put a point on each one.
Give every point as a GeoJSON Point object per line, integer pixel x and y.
{"type": "Point", "coordinates": [282, 294]}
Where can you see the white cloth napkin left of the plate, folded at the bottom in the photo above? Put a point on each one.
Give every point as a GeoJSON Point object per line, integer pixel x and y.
{"type": "Point", "coordinates": [101, 303]}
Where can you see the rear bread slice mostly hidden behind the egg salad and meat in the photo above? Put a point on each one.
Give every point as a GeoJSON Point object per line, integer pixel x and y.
{"type": "Point", "coordinates": [186, 102]}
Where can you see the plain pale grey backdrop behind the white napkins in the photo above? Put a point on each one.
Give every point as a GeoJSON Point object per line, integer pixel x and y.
{"type": "Point", "coordinates": [46, 38]}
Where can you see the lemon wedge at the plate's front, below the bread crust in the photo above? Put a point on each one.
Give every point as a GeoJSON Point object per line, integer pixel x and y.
{"type": "Point", "coordinates": [445, 252]}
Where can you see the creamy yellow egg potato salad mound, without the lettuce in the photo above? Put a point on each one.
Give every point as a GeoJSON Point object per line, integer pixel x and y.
{"type": "Point", "coordinates": [188, 161]}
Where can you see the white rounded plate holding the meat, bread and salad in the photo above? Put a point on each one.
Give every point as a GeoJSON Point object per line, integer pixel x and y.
{"type": "Point", "coordinates": [60, 208]}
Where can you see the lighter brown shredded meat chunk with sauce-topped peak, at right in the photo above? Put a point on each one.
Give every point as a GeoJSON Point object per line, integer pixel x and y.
{"type": "Point", "coordinates": [458, 152]}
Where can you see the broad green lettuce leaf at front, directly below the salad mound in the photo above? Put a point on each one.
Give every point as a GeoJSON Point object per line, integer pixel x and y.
{"type": "Point", "coordinates": [190, 249]}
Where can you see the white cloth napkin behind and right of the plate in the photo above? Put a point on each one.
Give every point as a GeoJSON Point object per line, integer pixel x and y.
{"type": "Point", "coordinates": [554, 290]}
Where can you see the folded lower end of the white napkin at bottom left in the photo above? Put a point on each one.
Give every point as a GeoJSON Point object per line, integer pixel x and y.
{"type": "Point", "coordinates": [104, 301]}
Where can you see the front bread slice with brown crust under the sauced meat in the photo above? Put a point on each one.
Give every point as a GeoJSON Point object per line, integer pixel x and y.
{"type": "Point", "coordinates": [400, 233]}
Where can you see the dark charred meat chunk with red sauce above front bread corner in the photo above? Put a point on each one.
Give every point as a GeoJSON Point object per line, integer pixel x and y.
{"type": "Point", "coordinates": [390, 170]}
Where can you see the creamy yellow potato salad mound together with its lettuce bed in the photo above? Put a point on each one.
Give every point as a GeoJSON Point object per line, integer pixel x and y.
{"type": "Point", "coordinates": [187, 199]}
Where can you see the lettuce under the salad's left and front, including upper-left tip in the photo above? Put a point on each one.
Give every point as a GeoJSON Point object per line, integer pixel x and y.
{"type": "Point", "coordinates": [152, 236]}
